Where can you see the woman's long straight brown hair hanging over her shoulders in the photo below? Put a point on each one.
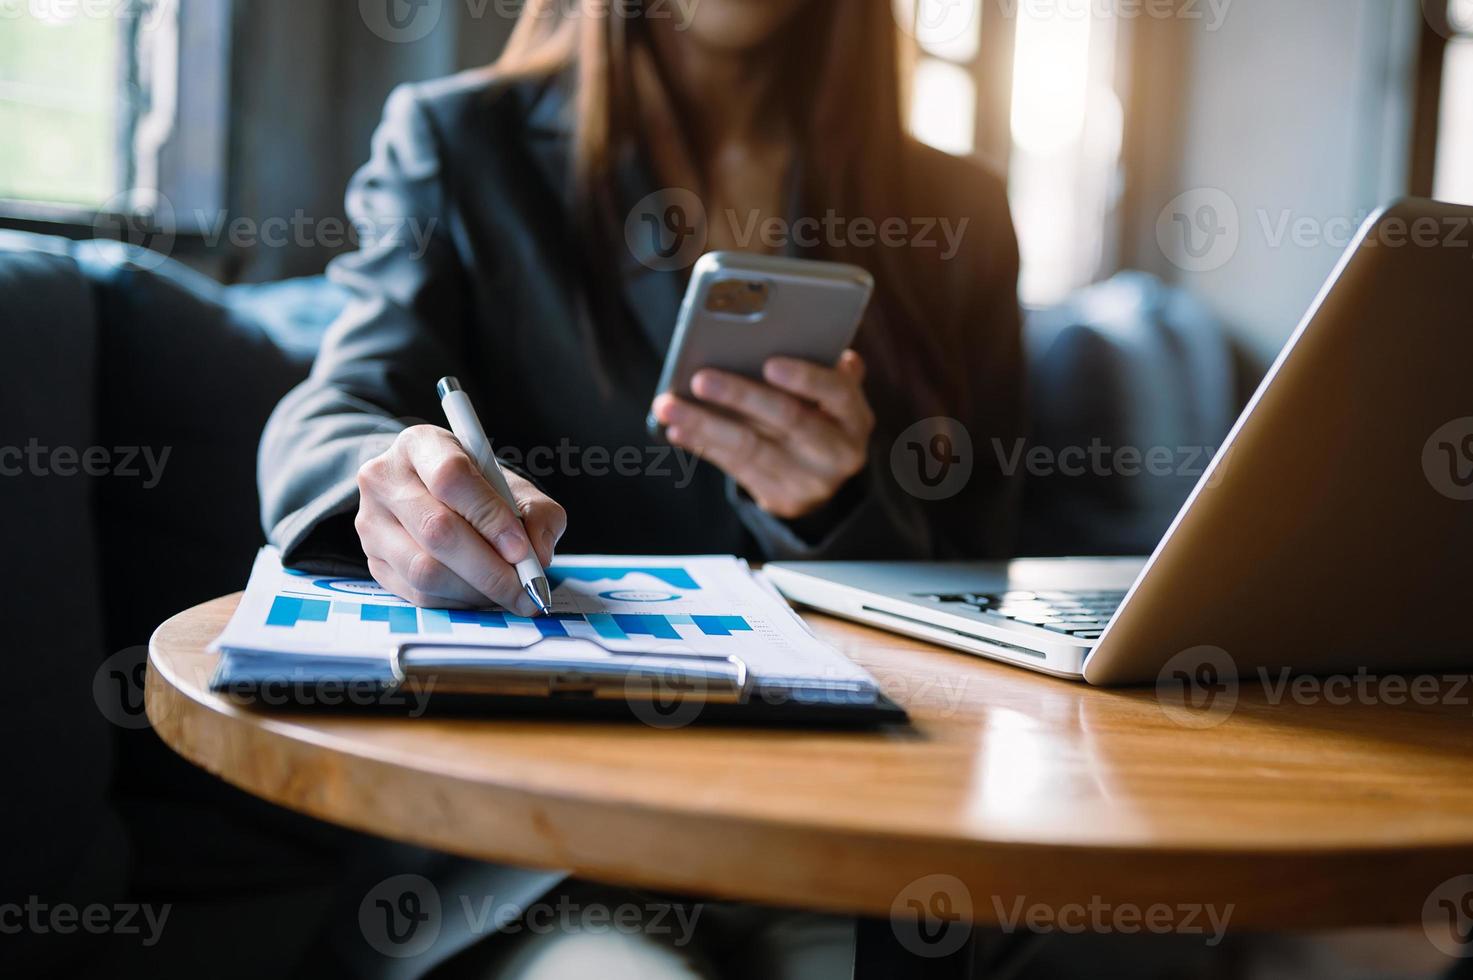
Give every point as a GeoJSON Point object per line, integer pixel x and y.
{"type": "Point", "coordinates": [845, 101]}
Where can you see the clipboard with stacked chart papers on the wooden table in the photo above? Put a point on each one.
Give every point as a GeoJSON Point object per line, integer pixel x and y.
{"type": "Point", "coordinates": [631, 634]}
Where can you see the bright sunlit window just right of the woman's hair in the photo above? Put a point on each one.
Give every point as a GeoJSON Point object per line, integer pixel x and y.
{"type": "Point", "coordinates": [1063, 135]}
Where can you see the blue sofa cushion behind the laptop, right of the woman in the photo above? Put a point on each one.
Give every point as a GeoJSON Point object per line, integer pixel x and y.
{"type": "Point", "coordinates": [1133, 387]}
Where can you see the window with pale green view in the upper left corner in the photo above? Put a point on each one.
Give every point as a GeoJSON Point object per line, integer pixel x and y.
{"type": "Point", "coordinates": [95, 116]}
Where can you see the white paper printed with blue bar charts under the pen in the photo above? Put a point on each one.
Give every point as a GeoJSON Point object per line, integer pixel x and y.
{"type": "Point", "coordinates": [687, 606]}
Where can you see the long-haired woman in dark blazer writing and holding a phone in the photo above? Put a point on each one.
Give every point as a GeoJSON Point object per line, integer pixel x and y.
{"type": "Point", "coordinates": [502, 219]}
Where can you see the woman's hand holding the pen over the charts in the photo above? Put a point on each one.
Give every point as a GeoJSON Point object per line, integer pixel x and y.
{"type": "Point", "coordinates": [438, 536]}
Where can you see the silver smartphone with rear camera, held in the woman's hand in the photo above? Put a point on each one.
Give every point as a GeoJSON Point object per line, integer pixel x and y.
{"type": "Point", "coordinates": [742, 310]}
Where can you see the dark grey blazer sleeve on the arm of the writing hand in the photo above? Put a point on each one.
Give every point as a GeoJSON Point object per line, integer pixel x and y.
{"type": "Point", "coordinates": [376, 372]}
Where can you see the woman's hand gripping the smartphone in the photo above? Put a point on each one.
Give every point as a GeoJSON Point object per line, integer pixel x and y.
{"type": "Point", "coordinates": [793, 443]}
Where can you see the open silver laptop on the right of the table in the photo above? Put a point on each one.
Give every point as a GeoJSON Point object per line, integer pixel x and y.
{"type": "Point", "coordinates": [1332, 533]}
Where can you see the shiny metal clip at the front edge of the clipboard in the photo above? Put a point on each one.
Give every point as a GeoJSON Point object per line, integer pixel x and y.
{"type": "Point", "coordinates": [575, 670]}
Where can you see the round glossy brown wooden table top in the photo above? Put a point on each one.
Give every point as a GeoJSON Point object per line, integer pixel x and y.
{"type": "Point", "coordinates": [1016, 786]}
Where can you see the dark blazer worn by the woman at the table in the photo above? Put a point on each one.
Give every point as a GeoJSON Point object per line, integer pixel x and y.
{"type": "Point", "coordinates": [466, 267]}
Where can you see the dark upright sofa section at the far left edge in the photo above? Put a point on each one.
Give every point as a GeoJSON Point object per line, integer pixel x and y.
{"type": "Point", "coordinates": [64, 841]}
